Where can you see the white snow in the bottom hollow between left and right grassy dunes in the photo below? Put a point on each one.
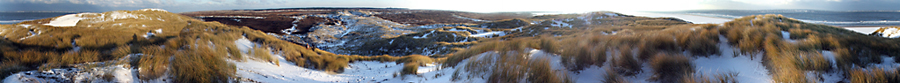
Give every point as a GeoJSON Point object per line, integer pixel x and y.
{"type": "Point", "coordinates": [356, 72]}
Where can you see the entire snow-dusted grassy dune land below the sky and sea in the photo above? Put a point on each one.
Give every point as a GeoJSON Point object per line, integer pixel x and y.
{"type": "Point", "coordinates": [324, 45]}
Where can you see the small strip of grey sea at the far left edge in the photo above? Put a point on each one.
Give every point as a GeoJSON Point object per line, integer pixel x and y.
{"type": "Point", "coordinates": [16, 17]}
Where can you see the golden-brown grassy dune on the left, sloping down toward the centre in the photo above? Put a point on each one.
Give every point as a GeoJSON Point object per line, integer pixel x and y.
{"type": "Point", "coordinates": [156, 42]}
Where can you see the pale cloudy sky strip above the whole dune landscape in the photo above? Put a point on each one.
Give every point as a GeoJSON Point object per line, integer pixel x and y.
{"type": "Point", "coordinates": [461, 5]}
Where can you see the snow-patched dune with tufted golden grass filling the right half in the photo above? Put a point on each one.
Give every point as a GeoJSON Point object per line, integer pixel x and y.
{"type": "Point", "coordinates": [792, 51]}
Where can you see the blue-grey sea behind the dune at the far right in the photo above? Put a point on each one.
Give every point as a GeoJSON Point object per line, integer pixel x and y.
{"type": "Point", "coordinates": [836, 18]}
